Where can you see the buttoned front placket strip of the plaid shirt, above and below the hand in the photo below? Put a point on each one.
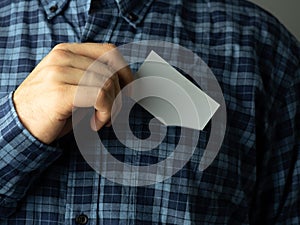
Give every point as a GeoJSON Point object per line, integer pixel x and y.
{"type": "Point", "coordinates": [87, 214]}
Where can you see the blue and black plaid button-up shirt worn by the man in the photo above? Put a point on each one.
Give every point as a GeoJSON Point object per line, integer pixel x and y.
{"type": "Point", "coordinates": [253, 180]}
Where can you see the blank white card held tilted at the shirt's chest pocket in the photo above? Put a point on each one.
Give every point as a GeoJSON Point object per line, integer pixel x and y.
{"type": "Point", "coordinates": [165, 112]}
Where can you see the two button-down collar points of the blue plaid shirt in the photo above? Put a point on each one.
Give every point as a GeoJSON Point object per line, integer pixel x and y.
{"type": "Point", "coordinates": [133, 11]}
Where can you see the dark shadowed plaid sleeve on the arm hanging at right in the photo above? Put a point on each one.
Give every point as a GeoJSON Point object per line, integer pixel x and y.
{"type": "Point", "coordinates": [277, 193]}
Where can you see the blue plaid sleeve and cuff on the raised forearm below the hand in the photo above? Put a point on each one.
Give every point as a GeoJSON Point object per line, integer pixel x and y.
{"type": "Point", "coordinates": [22, 157]}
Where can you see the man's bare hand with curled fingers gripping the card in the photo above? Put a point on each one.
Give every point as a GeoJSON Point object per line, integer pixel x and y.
{"type": "Point", "coordinates": [45, 100]}
